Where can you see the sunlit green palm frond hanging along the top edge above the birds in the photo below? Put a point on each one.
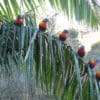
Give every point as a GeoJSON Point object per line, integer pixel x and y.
{"type": "Point", "coordinates": [81, 10]}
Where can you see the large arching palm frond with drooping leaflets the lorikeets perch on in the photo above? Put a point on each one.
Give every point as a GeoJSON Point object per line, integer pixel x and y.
{"type": "Point", "coordinates": [53, 64]}
